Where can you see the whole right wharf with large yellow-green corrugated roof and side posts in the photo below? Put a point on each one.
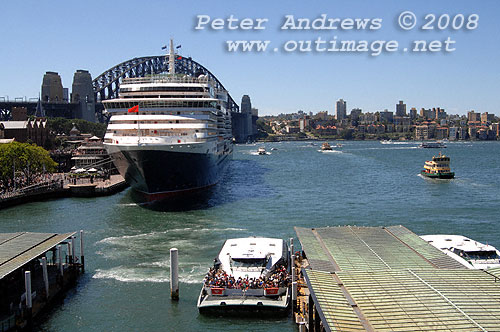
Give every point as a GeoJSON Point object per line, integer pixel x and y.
{"type": "Point", "coordinates": [389, 279]}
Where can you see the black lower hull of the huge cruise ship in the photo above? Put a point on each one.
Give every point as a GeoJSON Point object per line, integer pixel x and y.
{"type": "Point", "coordinates": [159, 174]}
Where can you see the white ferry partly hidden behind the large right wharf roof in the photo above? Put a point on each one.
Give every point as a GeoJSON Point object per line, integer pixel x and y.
{"type": "Point", "coordinates": [470, 253]}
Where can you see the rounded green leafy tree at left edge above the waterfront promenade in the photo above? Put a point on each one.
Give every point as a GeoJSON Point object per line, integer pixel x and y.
{"type": "Point", "coordinates": [24, 159]}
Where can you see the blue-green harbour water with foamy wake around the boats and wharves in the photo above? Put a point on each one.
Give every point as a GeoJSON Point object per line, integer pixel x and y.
{"type": "Point", "coordinates": [125, 287]}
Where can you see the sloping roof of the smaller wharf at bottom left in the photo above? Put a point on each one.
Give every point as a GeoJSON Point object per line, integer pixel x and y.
{"type": "Point", "coordinates": [17, 249]}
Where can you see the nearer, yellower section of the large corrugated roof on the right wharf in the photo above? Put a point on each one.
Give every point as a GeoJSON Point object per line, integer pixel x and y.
{"type": "Point", "coordinates": [408, 300]}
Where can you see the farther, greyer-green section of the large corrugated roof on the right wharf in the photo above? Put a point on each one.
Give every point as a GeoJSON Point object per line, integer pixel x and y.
{"type": "Point", "coordinates": [369, 248]}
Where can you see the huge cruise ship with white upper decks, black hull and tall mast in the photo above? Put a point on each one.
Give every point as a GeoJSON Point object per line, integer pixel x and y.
{"type": "Point", "coordinates": [170, 133]}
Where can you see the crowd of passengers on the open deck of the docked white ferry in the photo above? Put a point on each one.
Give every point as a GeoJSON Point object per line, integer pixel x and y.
{"type": "Point", "coordinates": [217, 277]}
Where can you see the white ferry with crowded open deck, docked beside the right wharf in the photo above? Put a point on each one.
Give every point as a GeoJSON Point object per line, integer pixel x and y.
{"type": "Point", "coordinates": [250, 275]}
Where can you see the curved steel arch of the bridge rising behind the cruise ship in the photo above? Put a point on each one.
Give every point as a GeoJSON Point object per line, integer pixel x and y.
{"type": "Point", "coordinates": [107, 84]}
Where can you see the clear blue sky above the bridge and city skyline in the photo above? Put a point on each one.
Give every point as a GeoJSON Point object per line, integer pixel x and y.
{"type": "Point", "coordinates": [63, 36]}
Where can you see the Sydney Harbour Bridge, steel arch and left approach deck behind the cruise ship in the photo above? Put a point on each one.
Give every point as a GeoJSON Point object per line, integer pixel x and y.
{"type": "Point", "coordinates": [106, 86]}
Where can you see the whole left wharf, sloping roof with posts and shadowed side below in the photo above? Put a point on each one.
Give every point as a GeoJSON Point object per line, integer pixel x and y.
{"type": "Point", "coordinates": [35, 269]}
